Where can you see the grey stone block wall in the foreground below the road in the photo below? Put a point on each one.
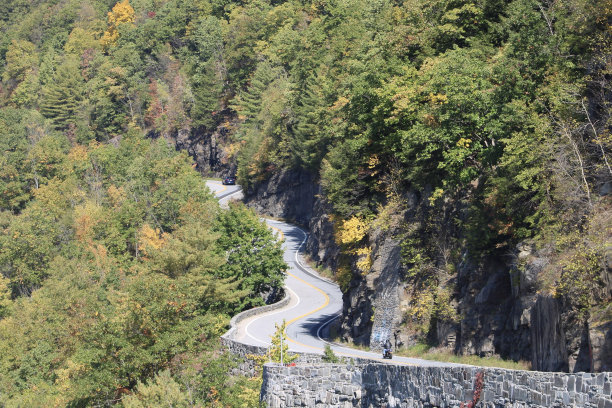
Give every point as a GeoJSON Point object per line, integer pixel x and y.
{"type": "Point", "coordinates": [384, 385]}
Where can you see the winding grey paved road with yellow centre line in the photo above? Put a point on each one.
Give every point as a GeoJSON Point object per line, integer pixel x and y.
{"type": "Point", "coordinates": [315, 301]}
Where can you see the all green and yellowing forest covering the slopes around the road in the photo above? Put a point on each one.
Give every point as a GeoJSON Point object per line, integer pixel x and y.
{"type": "Point", "coordinates": [116, 264]}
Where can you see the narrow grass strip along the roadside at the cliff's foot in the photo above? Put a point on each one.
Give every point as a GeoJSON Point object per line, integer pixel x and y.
{"type": "Point", "coordinates": [429, 353]}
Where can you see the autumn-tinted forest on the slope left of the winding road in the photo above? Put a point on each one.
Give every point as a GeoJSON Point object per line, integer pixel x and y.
{"type": "Point", "coordinates": [118, 270]}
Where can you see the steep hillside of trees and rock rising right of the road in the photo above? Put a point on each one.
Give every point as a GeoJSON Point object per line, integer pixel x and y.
{"type": "Point", "coordinates": [471, 136]}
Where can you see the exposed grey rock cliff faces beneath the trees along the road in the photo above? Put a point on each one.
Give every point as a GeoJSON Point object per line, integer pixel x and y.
{"type": "Point", "coordinates": [500, 310]}
